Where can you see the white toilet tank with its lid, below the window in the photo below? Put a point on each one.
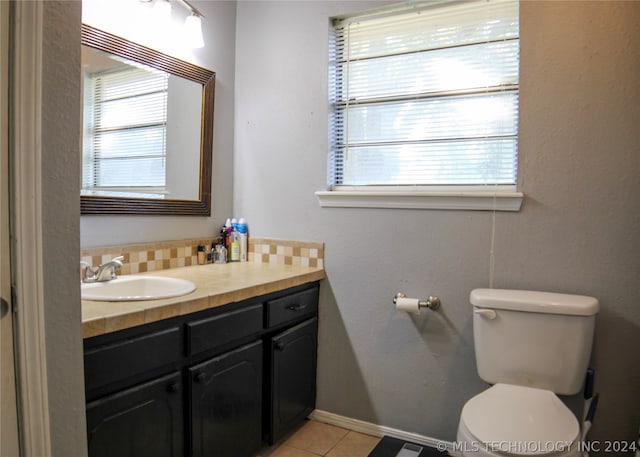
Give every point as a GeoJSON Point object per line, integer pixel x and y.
{"type": "Point", "coordinates": [534, 339]}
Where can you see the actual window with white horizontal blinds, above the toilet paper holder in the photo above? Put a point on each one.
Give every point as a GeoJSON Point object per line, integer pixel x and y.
{"type": "Point", "coordinates": [425, 98]}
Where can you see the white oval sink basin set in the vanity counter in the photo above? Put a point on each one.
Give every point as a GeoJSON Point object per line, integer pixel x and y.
{"type": "Point", "coordinates": [133, 287]}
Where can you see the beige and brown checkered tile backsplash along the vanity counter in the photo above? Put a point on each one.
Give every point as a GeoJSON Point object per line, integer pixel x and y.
{"type": "Point", "coordinates": [140, 258]}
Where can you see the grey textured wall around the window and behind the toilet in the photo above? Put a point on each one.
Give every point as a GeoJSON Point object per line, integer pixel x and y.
{"type": "Point", "coordinates": [577, 231]}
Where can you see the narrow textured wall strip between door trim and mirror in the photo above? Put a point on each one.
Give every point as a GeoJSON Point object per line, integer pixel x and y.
{"type": "Point", "coordinates": [61, 120]}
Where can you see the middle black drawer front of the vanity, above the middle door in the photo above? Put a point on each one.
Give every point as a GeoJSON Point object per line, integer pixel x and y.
{"type": "Point", "coordinates": [216, 331]}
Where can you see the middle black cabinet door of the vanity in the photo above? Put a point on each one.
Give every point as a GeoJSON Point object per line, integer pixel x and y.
{"type": "Point", "coordinates": [226, 404]}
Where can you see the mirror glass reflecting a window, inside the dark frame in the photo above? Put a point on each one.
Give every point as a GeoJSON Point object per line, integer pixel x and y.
{"type": "Point", "coordinates": [141, 135]}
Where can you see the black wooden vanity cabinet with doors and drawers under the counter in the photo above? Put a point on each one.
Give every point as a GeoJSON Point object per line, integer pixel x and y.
{"type": "Point", "coordinates": [216, 383]}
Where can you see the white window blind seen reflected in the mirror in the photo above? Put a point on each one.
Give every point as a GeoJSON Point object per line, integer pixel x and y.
{"type": "Point", "coordinates": [127, 132]}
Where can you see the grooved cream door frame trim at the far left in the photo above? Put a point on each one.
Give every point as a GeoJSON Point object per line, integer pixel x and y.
{"type": "Point", "coordinates": [26, 216]}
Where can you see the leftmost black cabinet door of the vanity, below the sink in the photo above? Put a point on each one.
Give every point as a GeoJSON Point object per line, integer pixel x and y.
{"type": "Point", "coordinates": [144, 420]}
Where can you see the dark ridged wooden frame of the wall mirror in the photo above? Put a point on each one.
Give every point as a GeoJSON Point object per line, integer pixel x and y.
{"type": "Point", "coordinates": [112, 44]}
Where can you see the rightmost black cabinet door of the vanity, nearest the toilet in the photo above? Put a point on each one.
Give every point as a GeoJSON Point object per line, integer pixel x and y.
{"type": "Point", "coordinates": [293, 377]}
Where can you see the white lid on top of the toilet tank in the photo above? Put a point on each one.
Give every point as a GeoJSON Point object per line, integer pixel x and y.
{"type": "Point", "coordinates": [534, 302]}
